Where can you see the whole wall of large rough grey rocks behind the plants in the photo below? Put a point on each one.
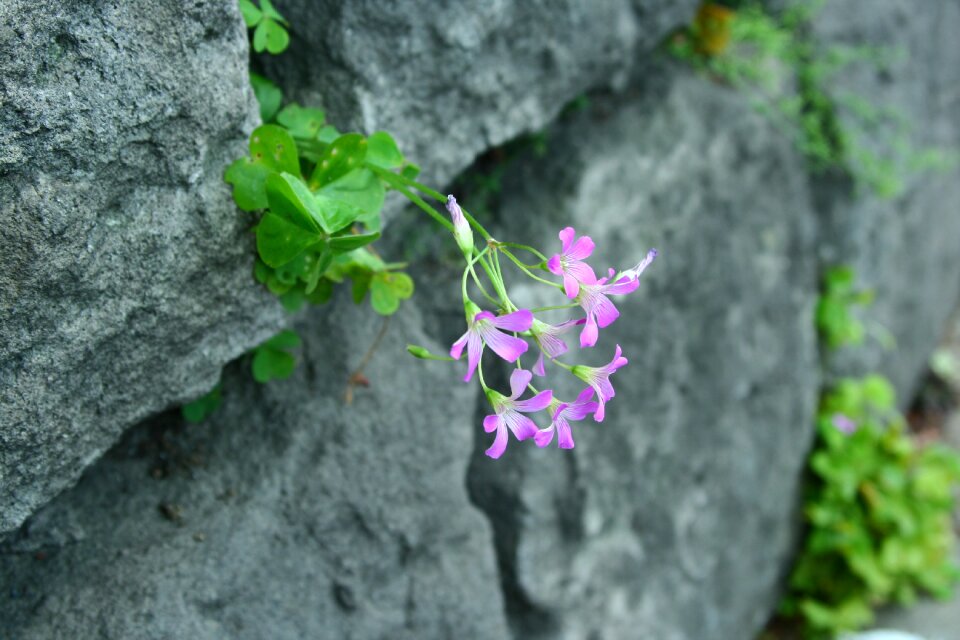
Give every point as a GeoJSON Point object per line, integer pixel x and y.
{"type": "Point", "coordinates": [125, 284]}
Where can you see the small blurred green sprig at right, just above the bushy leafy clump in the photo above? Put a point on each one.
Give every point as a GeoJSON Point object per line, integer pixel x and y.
{"type": "Point", "coordinates": [836, 321]}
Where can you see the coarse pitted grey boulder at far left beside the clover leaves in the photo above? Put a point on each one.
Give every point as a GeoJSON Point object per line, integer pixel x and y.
{"type": "Point", "coordinates": [124, 266]}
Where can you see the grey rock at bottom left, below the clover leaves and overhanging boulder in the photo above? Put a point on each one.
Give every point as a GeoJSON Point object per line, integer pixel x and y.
{"type": "Point", "coordinates": [286, 515]}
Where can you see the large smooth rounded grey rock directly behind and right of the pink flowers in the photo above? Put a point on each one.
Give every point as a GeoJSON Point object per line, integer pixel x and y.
{"type": "Point", "coordinates": [676, 515]}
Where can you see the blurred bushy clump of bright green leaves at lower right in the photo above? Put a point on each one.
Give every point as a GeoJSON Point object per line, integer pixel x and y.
{"type": "Point", "coordinates": [878, 511]}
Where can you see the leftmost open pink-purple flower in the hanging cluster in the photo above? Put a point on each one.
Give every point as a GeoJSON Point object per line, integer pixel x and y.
{"type": "Point", "coordinates": [483, 330]}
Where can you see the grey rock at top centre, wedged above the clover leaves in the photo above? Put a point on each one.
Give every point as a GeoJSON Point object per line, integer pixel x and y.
{"type": "Point", "coordinates": [450, 80]}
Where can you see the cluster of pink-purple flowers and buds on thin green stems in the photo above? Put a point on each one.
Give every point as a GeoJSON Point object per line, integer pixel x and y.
{"type": "Point", "coordinates": [510, 331]}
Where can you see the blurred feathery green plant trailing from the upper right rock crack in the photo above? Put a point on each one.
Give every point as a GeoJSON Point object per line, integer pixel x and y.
{"type": "Point", "coordinates": [773, 59]}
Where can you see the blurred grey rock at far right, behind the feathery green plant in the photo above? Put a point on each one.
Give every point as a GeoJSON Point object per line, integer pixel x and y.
{"type": "Point", "coordinates": [906, 248]}
